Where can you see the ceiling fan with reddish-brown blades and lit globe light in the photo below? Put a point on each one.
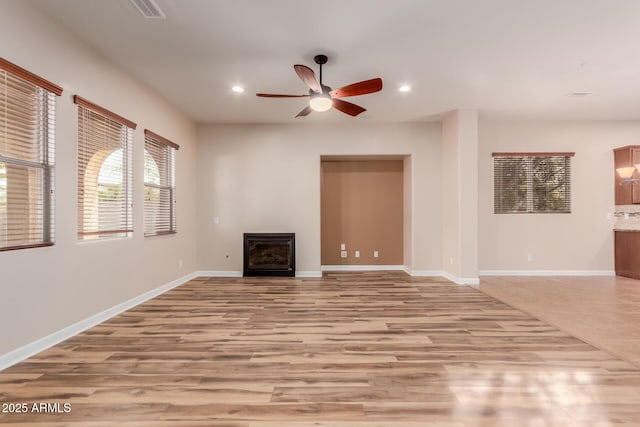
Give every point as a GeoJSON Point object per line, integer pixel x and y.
{"type": "Point", "coordinates": [322, 97]}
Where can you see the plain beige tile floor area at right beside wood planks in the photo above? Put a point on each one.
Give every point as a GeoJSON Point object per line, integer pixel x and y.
{"type": "Point", "coordinates": [604, 311]}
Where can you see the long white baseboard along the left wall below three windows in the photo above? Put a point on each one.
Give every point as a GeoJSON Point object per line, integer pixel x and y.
{"type": "Point", "coordinates": [28, 350]}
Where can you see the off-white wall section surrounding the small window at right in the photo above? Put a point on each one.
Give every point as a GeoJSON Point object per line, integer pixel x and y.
{"type": "Point", "coordinates": [578, 242]}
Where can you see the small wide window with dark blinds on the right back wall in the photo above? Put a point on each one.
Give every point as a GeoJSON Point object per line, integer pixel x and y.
{"type": "Point", "coordinates": [532, 182]}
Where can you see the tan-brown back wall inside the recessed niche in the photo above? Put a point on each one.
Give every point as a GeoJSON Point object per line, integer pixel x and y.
{"type": "Point", "coordinates": [362, 207]}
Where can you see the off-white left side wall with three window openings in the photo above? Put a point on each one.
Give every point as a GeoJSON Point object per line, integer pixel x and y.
{"type": "Point", "coordinates": [44, 290]}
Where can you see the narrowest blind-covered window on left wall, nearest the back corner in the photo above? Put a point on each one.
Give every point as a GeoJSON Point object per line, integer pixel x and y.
{"type": "Point", "coordinates": [159, 185]}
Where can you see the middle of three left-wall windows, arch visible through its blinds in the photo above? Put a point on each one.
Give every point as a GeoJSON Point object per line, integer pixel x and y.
{"type": "Point", "coordinates": [105, 199]}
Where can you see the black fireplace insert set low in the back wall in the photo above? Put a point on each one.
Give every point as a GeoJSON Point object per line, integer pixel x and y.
{"type": "Point", "coordinates": [269, 254]}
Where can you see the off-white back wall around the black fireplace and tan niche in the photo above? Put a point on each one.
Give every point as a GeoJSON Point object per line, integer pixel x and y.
{"type": "Point", "coordinates": [266, 178]}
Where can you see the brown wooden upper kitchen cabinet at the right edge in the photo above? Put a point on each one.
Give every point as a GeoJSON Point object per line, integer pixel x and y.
{"type": "Point", "coordinates": [627, 175]}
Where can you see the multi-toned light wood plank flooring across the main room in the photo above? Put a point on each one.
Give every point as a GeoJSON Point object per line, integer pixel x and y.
{"type": "Point", "coordinates": [349, 350]}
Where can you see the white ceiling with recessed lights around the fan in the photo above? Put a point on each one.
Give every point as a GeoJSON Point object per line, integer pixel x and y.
{"type": "Point", "coordinates": [514, 58]}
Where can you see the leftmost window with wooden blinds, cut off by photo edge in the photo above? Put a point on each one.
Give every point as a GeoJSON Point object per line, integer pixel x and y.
{"type": "Point", "coordinates": [27, 130]}
